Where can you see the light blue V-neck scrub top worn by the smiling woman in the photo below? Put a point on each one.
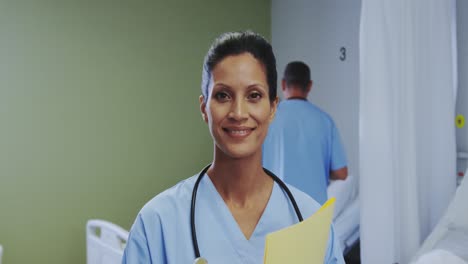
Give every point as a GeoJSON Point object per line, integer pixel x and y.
{"type": "Point", "coordinates": [161, 232]}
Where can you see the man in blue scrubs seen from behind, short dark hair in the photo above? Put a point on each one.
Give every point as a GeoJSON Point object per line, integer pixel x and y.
{"type": "Point", "coordinates": [303, 145]}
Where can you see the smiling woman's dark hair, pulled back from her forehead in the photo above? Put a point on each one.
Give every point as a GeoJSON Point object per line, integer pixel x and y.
{"type": "Point", "coordinates": [235, 43]}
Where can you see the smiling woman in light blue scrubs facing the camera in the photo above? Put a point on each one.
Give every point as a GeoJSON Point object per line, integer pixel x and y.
{"type": "Point", "coordinates": [237, 202]}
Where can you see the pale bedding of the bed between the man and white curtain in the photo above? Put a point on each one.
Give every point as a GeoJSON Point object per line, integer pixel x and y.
{"type": "Point", "coordinates": [346, 215]}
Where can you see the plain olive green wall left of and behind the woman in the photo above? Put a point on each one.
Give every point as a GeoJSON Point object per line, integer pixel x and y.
{"type": "Point", "coordinates": [99, 112]}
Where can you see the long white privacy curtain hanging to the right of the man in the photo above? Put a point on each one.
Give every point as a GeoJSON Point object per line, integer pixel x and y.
{"type": "Point", "coordinates": [407, 133]}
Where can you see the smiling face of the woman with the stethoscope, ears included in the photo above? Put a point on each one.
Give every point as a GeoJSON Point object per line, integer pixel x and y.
{"type": "Point", "coordinates": [238, 109]}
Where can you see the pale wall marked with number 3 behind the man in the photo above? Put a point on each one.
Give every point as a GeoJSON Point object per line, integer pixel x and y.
{"type": "Point", "coordinates": [314, 31]}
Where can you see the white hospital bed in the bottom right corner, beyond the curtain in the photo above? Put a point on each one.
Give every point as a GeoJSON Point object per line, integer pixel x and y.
{"type": "Point", "coordinates": [448, 242]}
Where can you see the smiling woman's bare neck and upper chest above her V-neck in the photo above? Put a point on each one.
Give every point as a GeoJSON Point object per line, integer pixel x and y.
{"type": "Point", "coordinates": [240, 181]}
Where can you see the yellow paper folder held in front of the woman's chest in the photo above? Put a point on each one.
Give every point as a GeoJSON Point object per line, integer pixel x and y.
{"type": "Point", "coordinates": [302, 243]}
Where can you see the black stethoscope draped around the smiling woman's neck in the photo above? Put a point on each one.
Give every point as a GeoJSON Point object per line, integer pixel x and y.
{"type": "Point", "coordinates": [200, 260]}
